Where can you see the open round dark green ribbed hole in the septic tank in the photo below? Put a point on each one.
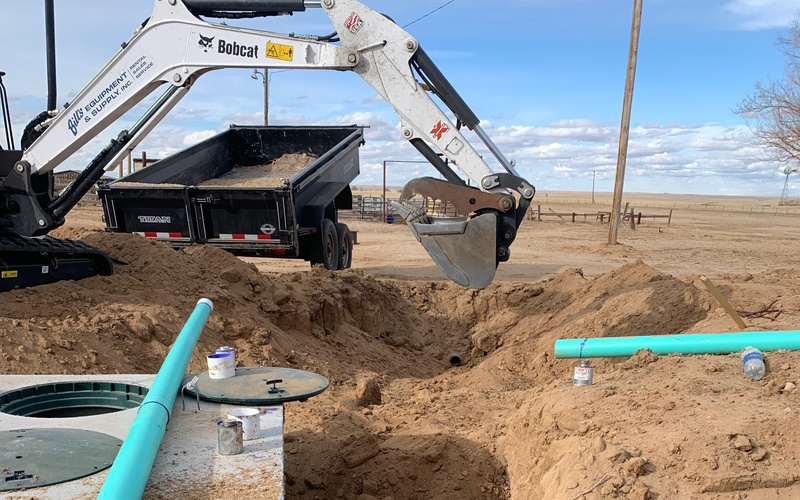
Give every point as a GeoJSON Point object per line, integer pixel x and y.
{"type": "Point", "coordinates": [66, 399]}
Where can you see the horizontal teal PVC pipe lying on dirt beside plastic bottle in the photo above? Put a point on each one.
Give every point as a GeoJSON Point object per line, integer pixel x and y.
{"type": "Point", "coordinates": [698, 343]}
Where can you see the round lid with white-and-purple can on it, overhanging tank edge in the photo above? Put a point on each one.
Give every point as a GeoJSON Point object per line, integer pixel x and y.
{"type": "Point", "coordinates": [258, 386]}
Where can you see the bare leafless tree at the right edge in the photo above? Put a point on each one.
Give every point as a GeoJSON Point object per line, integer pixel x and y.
{"type": "Point", "coordinates": [774, 106]}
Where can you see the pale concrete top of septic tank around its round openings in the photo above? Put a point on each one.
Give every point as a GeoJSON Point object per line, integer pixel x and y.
{"type": "Point", "coordinates": [187, 464]}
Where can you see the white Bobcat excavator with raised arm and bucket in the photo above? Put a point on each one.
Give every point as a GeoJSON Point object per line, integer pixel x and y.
{"type": "Point", "coordinates": [174, 47]}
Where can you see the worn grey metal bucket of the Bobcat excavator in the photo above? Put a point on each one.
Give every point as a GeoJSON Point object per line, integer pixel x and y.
{"type": "Point", "coordinates": [464, 248]}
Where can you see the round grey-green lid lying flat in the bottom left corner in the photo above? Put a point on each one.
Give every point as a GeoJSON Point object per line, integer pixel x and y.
{"type": "Point", "coordinates": [31, 458]}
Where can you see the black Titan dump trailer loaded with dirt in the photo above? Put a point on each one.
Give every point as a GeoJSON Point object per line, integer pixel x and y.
{"type": "Point", "coordinates": [270, 191]}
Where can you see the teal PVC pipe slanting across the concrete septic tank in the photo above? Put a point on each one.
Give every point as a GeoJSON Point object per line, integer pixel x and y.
{"type": "Point", "coordinates": [128, 476]}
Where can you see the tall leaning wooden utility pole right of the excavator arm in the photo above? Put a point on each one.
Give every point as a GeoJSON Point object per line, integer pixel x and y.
{"type": "Point", "coordinates": [625, 125]}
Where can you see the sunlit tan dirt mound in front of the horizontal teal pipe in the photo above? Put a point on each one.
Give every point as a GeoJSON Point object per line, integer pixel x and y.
{"type": "Point", "coordinates": [676, 428]}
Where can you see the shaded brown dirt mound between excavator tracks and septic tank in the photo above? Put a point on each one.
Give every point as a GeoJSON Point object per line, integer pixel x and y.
{"type": "Point", "coordinates": [336, 324]}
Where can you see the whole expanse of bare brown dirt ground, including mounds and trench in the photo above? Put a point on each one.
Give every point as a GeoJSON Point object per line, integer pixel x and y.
{"type": "Point", "coordinates": [507, 423]}
